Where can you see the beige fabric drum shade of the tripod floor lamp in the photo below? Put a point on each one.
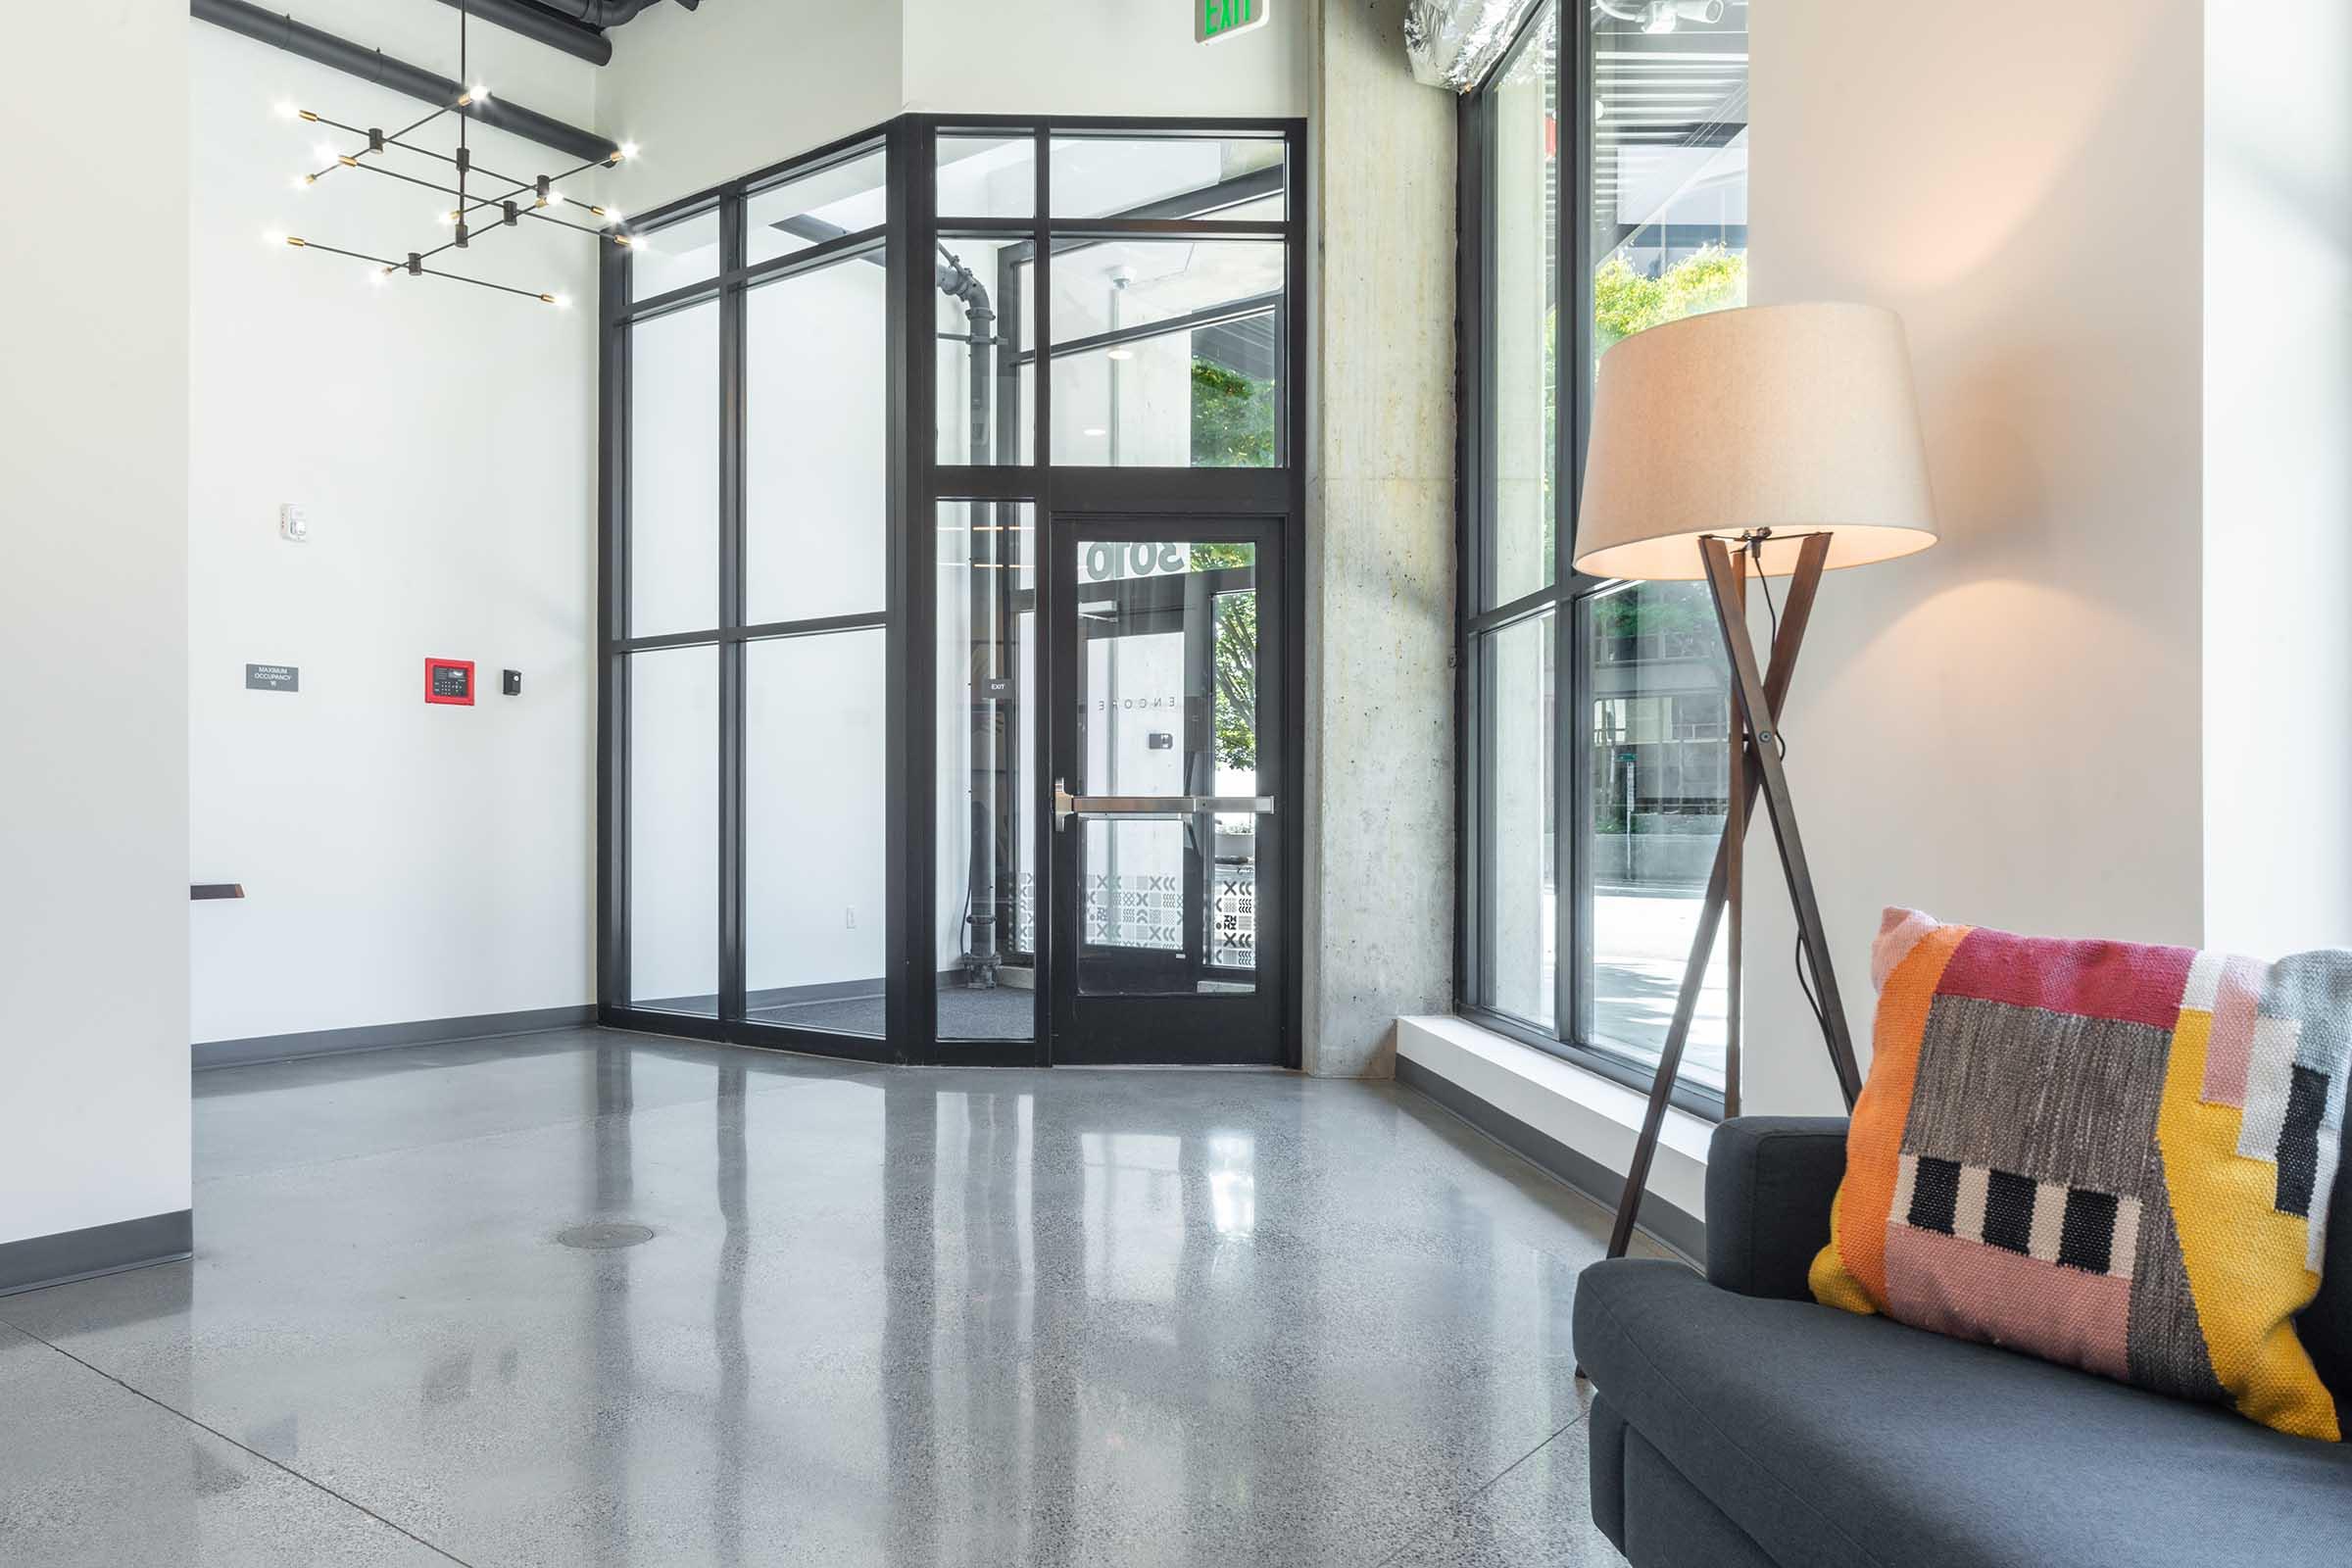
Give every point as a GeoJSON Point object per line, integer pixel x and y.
{"type": "Point", "coordinates": [1796, 420]}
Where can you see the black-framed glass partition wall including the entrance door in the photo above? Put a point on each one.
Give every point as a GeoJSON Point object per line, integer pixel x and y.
{"type": "Point", "coordinates": [855, 413]}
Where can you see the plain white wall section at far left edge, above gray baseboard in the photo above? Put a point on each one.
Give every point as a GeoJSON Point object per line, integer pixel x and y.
{"type": "Point", "coordinates": [93, 624]}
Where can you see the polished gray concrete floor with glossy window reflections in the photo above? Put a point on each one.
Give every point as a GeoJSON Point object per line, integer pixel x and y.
{"type": "Point", "coordinates": [817, 1315]}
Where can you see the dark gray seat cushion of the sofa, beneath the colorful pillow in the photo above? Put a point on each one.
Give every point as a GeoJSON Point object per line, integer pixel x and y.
{"type": "Point", "coordinates": [1852, 1440]}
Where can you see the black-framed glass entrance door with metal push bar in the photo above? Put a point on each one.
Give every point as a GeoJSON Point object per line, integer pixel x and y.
{"type": "Point", "coordinates": [1165, 793]}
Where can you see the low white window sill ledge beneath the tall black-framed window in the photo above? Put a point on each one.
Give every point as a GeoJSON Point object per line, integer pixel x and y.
{"type": "Point", "coordinates": [1591, 1115]}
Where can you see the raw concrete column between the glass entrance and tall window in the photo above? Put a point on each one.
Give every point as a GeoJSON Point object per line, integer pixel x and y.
{"type": "Point", "coordinates": [1379, 859]}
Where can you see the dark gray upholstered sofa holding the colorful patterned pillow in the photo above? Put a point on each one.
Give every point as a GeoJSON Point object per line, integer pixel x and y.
{"type": "Point", "coordinates": [1742, 1426]}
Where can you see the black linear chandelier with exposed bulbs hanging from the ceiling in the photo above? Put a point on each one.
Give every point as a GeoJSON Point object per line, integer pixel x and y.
{"type": "Point", "coordinates": [481, 208]}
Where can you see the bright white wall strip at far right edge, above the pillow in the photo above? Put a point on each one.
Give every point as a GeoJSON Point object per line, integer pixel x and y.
{"type": "Point", "coordinates": [2278, 481]}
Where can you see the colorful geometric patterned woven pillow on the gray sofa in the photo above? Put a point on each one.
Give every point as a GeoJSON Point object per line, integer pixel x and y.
{"type": "Point", "coordinates": [2104, 1155]}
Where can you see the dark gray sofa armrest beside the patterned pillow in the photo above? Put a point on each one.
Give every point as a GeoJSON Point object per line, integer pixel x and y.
{"type": "Point", "coordinates": [1770, 1188]}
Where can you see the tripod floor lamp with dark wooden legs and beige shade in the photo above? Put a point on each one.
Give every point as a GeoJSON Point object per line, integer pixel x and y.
{"type": "Point", "coordinates": [1779, 441]}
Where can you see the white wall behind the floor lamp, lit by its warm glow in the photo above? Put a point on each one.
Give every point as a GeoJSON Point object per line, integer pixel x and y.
{"type": "Point", "coordinates": [2007, 728]}
